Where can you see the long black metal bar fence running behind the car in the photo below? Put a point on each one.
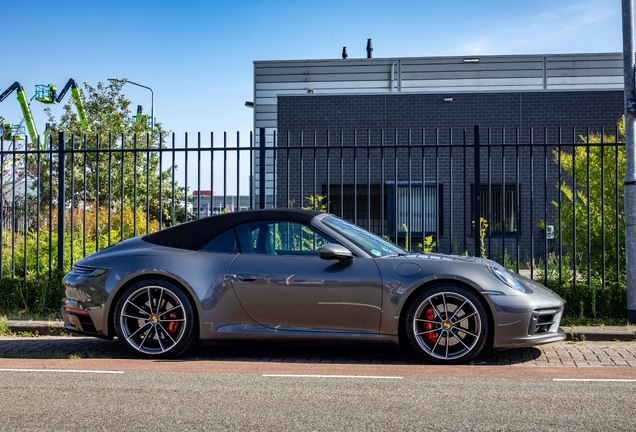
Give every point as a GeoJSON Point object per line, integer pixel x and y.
{"type": "Point", "coordinates": [540, 201]}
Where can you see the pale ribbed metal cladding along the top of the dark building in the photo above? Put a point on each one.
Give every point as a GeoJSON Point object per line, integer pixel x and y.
{"type": "Point", "coordinates": [431, 75]}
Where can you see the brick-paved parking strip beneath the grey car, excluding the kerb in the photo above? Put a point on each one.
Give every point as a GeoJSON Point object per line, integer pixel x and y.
{"type": "Point", "coordinates": [573, 354]}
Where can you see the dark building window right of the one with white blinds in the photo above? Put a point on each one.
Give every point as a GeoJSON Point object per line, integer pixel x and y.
{"type": "Point", "coordinates": [499, 208]}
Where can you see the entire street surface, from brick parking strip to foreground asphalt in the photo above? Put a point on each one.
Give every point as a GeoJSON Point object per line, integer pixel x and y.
{"type": "Point", "coordinates": [61, 383]}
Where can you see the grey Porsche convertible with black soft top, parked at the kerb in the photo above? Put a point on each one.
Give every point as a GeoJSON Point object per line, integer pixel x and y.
{"type": "Point", "coordinates": [300, 276]}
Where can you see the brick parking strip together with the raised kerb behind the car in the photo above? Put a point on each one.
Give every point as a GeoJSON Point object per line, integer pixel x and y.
{"type": "Point", "coordinates": [608, 346]}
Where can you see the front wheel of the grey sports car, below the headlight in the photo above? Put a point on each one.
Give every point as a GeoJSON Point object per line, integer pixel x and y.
{"type": "Point", "coordinates": [447, 325]}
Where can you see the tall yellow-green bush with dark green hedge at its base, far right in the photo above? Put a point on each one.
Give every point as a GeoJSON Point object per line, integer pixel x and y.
{"type": "Point", "coordinates": [591, 215]}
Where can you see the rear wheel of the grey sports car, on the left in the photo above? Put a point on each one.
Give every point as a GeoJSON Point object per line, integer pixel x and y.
{"type": "Point", "coordinates": [154, 319]}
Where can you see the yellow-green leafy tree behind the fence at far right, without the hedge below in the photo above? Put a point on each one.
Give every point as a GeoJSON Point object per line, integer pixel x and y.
{"type": "Point", "coordinates": [602, 167]}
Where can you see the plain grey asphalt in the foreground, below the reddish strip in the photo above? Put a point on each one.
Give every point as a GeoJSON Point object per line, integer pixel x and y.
{"type": "Point", "coordinates": [134, 400]}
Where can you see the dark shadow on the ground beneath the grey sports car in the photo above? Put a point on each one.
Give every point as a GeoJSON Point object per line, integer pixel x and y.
{"type": "Point", "coordinates": [82, 347]}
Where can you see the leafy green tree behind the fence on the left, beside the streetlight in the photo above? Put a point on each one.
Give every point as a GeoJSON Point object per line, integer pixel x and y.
{"type": "Point", "coordinates": [110, 174]}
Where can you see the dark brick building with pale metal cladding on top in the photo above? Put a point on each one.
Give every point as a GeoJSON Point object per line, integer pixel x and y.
{"type": "Point", "coordinates": [404, 148]}
